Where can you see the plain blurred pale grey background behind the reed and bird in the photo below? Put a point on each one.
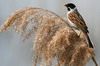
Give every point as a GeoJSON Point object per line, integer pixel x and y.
{"type": "Point", "coordinates": [14, 52]}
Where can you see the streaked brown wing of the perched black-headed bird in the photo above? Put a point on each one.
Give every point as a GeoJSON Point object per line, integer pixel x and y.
{"type": "Point", "coordinates": [77, 19]}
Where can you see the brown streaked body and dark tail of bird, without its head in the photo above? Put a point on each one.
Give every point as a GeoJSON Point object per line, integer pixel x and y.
{"type": "Point", "coordinates": [80, 24]}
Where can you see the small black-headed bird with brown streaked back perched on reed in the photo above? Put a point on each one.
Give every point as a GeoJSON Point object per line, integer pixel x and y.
{"type": "Point", "coordinates": [76, 21]}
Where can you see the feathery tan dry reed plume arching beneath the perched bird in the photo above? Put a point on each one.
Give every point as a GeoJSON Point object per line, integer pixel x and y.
{"type": "Point", "coordinates": [54, 39]}
